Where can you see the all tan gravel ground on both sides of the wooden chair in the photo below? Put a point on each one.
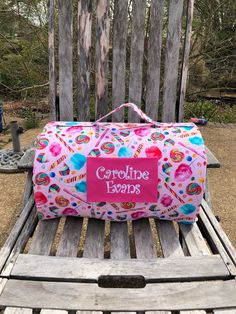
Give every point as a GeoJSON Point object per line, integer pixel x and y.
{"type": "Point", "coordinates": [222, 142]}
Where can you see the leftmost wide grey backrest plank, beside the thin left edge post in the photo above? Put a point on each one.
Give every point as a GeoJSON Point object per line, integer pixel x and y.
{"type": "Point", "coordinates": [65, 60]}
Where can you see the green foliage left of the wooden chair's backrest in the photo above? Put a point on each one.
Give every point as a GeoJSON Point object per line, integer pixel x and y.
{"type": "Point", "coordinates": [23, 48]}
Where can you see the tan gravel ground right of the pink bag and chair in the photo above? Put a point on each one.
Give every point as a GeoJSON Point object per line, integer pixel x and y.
{"type": "Point", "coordinates": [222, 181]}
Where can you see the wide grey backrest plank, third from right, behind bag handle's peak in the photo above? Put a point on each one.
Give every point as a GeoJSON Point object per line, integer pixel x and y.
{"type": "Point", "coordinates": [136, 56]}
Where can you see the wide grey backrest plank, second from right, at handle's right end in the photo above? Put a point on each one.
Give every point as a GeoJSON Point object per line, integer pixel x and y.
{"type": "Point", "coordinates": [154, 58]}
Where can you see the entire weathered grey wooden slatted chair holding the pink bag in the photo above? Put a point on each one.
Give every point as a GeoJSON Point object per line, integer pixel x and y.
{"type": "Point", "coordinates": [74, 265]}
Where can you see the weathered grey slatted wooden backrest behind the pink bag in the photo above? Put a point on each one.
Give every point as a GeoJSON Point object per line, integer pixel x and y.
{"type": "Point", "coordinates": [118, 56]}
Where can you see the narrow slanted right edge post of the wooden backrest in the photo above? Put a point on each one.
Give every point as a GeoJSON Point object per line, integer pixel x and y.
{"type": "Point", "coordinates": [184, 71]}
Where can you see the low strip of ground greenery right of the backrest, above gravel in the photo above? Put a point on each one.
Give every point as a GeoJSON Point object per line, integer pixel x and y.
{"type": "Point", "coordinates": [223, 113]}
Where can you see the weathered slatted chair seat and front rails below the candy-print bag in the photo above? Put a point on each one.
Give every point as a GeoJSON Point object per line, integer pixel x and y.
{"type": "Point", "coordinates": [77, 264]}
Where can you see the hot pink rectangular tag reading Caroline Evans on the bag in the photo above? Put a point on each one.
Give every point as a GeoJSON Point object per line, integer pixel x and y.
{"type": "Point", "coordinates": [122, 179]}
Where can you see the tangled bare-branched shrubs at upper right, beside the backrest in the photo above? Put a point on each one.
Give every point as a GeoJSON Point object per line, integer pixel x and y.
{"type": "Point", "coordinates": [212, 59]}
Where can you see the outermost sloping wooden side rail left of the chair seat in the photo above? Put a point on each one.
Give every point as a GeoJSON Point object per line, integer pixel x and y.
{"type": "Point", "coordinates": [15, 232]}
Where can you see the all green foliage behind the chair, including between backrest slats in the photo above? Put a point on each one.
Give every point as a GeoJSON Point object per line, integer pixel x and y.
{"type": "Point", "coordinates": [24, 50]}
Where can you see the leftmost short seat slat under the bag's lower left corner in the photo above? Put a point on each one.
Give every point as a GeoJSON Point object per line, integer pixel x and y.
{"type": "Point", "coordinates": [43, 239]}
